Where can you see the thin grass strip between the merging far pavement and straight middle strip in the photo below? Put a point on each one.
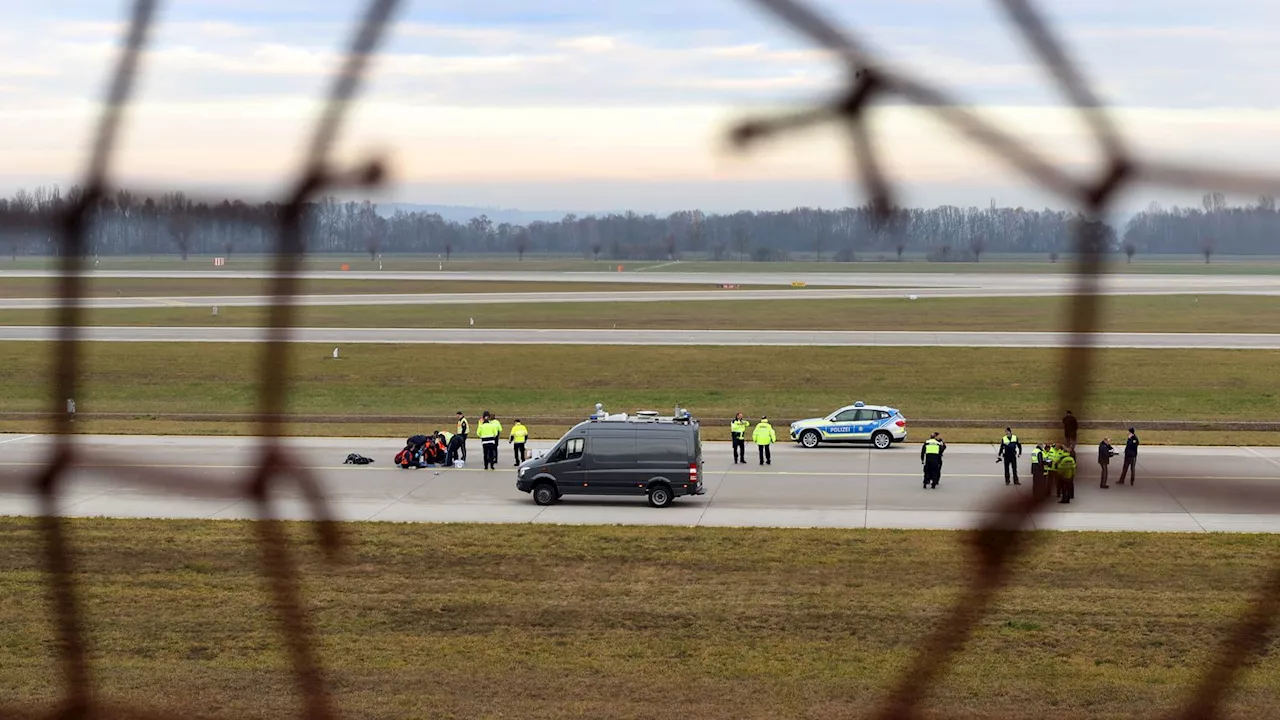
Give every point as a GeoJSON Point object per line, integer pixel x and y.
{"type": "Point", "coordinates": [1172, 313]}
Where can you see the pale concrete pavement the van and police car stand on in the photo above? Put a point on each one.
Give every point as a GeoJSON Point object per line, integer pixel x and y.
{"type": "Point", "coordinates": [1180, 489]}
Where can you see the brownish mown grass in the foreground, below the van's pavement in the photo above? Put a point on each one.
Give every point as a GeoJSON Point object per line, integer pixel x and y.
{"type": "Point", "coordinates": [525, 622]}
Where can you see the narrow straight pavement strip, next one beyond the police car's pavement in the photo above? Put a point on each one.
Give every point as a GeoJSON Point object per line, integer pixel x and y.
{"type": "Point", "coordinates": [688, 338]}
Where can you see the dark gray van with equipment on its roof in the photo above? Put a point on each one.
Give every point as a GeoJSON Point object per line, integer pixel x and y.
{"type": "Point", "coordinates": [661, 458]}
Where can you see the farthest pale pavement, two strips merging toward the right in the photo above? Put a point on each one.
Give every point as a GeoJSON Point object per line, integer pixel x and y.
{"type": "Point", "coordinates": [843, 286]}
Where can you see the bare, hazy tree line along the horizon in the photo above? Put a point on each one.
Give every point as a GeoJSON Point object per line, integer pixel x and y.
{"type": "Point", "coordinates": [177, 225]}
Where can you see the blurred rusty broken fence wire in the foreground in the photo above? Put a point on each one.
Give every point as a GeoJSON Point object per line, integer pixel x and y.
{"type": "Point", "coordinates": [995, 546]}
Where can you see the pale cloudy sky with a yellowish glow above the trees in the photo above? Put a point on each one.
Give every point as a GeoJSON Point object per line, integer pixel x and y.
{"type": "Point", "coordinates": [601, 106]}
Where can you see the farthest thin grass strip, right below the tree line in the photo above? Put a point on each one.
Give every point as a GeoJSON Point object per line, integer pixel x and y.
{"type": "Point", "coordinates": [872, 263]}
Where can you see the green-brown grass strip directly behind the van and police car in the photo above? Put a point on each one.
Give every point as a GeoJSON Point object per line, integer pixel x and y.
{"type": "Point", "coordinates": [715, 382]}
